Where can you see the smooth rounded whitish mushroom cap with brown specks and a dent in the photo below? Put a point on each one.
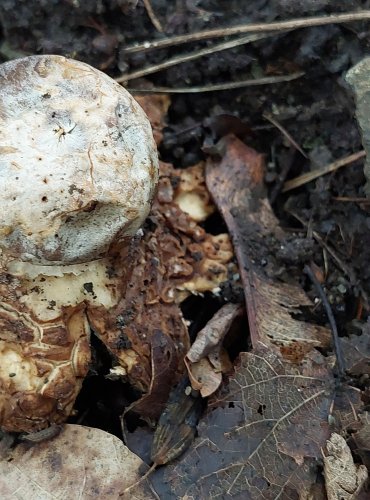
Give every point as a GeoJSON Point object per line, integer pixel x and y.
{"type": "Point", "coordinates": [78, 163]}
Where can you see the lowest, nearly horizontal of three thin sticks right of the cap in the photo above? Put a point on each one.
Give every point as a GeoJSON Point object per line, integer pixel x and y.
{"type": "Point", "coordinates": [218, 86]}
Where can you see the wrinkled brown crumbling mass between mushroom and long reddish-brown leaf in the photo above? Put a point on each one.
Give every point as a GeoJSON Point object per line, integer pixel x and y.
{"type": "Point", "coordinates": [174, 259]}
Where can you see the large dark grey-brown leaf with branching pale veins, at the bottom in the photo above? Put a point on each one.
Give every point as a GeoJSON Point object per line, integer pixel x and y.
{"type": "Point", "coordinates": [263, 433]}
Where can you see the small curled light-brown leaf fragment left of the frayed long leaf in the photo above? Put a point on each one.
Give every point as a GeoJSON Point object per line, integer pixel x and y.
{"type": "Point", "coordinates": [205, 360]}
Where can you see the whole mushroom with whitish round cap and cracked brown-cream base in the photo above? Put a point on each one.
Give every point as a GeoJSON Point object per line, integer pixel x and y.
{"type": "Point", "coordinates": [78, 171]}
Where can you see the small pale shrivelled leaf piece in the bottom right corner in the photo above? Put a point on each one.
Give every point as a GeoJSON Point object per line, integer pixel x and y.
{"type": "Point", "coordinates": [343, 479]}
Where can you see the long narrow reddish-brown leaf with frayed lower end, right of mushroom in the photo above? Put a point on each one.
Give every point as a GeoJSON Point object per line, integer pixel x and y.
{"type": "Point", "coordinates": [236, 184]}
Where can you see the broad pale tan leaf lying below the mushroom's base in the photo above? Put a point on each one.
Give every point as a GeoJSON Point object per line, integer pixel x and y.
{"type": "Point", "coordinates": [80, 462]}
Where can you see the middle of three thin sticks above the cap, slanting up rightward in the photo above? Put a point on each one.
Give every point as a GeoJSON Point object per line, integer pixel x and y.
{"type": "Point", "coordinates": [189, 57]}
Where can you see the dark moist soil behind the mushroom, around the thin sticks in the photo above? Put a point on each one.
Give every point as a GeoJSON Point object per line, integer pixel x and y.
{"type": "Point", "coordinates": [317, 109]}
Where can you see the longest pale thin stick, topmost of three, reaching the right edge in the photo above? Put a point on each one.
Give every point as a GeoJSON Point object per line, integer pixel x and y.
{"type": "Point", "coordinates": [348, 17]}
